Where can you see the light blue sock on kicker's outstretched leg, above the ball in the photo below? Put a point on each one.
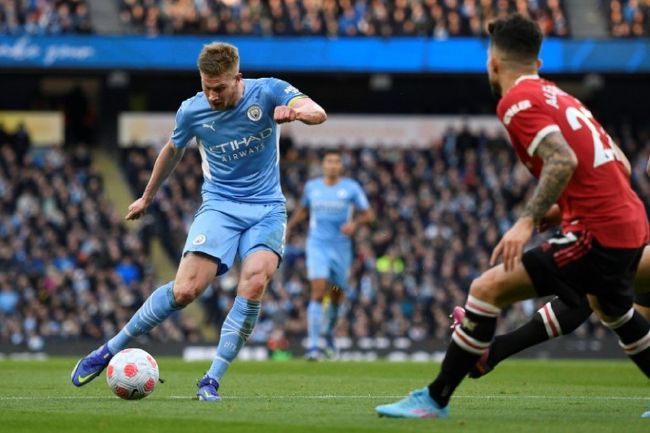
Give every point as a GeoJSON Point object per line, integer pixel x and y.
{"type": "Point", "coordinates": [158, 306]}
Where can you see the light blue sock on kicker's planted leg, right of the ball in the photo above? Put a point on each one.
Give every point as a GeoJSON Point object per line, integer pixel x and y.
{"type": "Point", "coordinates": [235, 330]}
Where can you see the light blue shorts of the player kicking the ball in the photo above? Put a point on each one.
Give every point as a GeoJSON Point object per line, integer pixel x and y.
{"type": "Point", "coordinates": [224, 228]}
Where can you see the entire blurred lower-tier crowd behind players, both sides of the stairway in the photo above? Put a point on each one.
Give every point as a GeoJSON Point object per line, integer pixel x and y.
{"type": "Point", "coordinates": [69, 269]}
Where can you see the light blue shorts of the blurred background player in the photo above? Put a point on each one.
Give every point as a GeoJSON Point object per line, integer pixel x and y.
{"type": "Point", "coordinates": [330, 261]}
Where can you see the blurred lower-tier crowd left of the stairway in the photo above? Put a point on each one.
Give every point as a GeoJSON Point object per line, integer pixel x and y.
{"type": "Point", "coordinates": [69, 270]}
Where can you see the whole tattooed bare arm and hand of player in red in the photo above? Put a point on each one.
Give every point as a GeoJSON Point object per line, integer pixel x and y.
{"type": "Point", "coordinates": [559, 164]}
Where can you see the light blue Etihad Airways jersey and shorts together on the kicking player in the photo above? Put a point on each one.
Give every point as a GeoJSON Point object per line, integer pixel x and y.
{"type": "Point", "coordinates": [243, 208]}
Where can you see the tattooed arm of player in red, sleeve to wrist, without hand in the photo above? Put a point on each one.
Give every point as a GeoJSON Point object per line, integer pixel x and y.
{"type": "Point", "coordinates": [559, 164]}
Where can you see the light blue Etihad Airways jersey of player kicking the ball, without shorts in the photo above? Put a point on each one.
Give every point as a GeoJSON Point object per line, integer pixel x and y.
{"type": "Point", "coordinates": [238, 146]}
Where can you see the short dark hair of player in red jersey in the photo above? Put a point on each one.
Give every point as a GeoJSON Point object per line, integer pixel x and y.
{"type": "Point", "coordinates": [517, 36]}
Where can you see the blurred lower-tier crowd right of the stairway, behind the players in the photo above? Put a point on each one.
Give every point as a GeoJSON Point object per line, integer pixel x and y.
{"type": "Point", "coordinates": [440, 212]}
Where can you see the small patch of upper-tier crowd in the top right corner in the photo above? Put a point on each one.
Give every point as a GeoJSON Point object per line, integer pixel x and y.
{"type": "Point", "coordinates": [629, 18]}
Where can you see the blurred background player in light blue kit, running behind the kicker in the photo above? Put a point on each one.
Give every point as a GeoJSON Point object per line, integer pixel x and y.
{"type": "Point", "coordinates": [330, 201]}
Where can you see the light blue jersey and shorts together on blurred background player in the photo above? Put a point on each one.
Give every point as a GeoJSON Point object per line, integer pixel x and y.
{"type": "Point", "coordinates": [329, 252]}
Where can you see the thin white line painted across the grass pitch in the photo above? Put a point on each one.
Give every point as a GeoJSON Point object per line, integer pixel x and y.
{"type": "Point", "coordinates": [347, 397]}
